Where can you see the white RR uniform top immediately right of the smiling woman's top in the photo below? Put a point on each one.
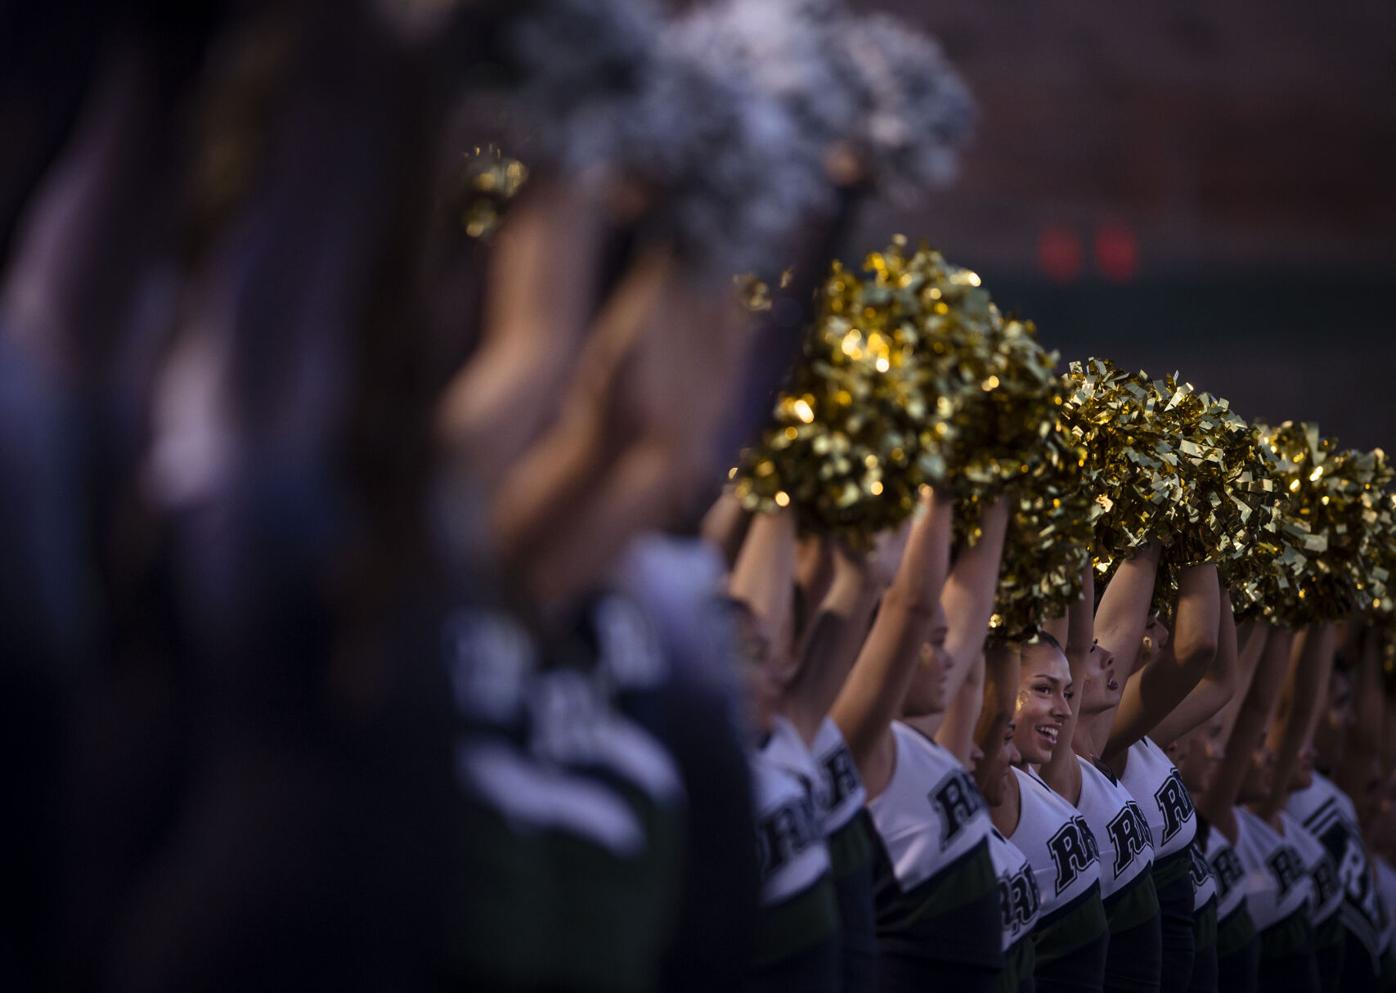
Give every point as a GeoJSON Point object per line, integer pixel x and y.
{"type": "Point", "coordinates": [1126, 848]}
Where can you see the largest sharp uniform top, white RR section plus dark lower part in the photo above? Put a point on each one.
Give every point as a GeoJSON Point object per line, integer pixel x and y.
{"type": "Point", "coordinates": [935, 885]}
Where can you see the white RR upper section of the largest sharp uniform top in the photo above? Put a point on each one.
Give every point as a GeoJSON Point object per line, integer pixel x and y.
{"type": "Point", "coordinates": [930, 815]}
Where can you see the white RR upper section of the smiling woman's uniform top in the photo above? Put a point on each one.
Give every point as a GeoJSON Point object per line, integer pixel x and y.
{"type": "Point", "coordinates": [1057, 841]}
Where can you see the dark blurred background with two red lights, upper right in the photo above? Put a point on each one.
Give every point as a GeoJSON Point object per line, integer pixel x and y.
{"type": "Point", "coordinates": [1198, 186]}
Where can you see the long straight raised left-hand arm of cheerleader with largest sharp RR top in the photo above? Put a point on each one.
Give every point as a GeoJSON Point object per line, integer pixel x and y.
{"type": "Point", "coordinates": [875, 691]}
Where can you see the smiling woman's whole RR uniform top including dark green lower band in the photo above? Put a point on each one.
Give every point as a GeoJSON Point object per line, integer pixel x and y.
{"type": "Point", "coordinates": [1064, 857]}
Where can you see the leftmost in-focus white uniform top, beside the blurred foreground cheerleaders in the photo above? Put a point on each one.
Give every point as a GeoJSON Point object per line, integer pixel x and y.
{"type": "Point", "coordinates": [789, 829]}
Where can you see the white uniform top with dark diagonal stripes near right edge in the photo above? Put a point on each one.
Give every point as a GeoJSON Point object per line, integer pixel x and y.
{"type": "Point", "coordinates": [1330, 816]}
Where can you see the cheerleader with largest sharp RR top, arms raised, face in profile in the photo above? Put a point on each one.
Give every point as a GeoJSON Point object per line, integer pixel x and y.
{"type": "Point", "coordinates": [936, 890]}
